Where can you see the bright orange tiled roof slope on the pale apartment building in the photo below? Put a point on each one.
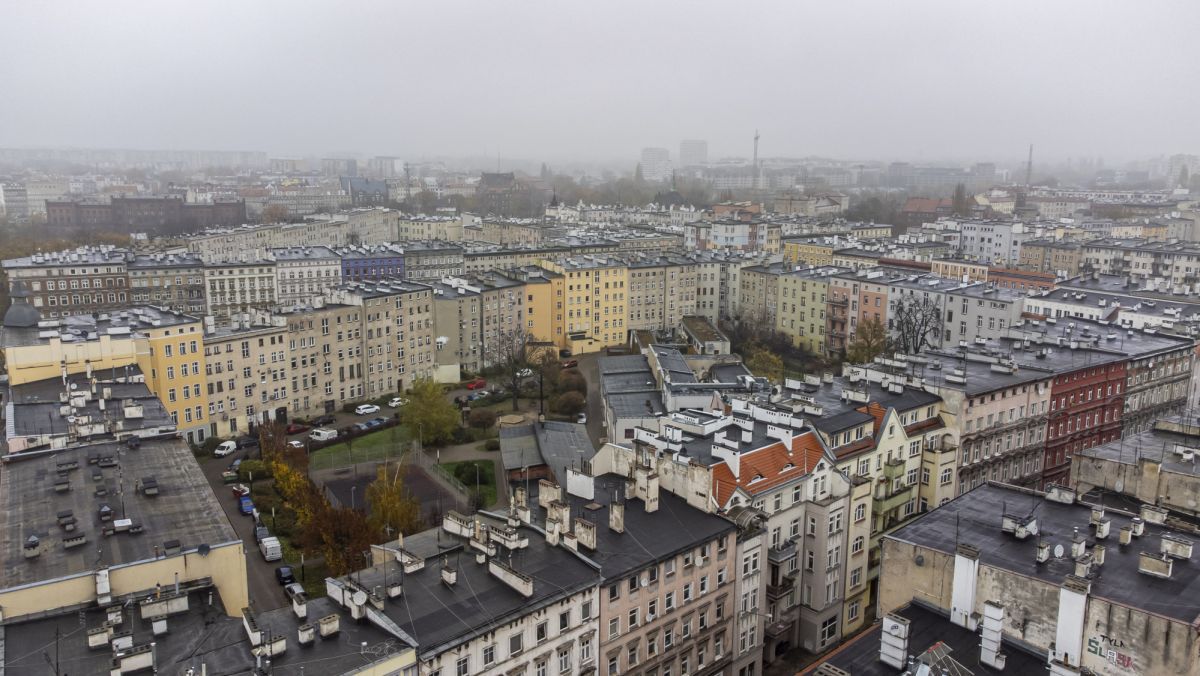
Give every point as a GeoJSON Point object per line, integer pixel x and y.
{"type": "Point", "coordinates": [769, 468]}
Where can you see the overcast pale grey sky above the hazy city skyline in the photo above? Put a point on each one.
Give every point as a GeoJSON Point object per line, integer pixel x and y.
{"type": "Point", "coordinates": [602, 80]}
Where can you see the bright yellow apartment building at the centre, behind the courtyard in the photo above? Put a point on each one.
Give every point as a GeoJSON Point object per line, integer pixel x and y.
{"type": "Point", "coordinates": [596, 302]}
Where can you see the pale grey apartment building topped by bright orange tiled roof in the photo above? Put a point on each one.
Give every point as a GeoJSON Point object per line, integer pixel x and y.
{"type": "Point", "coordinates": [765, 458]}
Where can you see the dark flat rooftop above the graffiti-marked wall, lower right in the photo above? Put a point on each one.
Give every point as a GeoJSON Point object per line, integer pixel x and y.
{"type": "Point", "coordinates": [975, 519]}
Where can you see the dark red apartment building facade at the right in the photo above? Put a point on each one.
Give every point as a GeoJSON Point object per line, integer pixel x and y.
{"type": "Point", "coordinates": [1087, 405]}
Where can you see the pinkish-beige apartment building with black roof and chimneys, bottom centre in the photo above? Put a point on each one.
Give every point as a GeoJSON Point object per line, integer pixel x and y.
{"type": "Point", "coordinates": [667, 603]}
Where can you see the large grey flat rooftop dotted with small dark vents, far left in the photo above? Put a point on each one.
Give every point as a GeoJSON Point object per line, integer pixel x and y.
{"type": "Point", "coordinates": [185, 511]}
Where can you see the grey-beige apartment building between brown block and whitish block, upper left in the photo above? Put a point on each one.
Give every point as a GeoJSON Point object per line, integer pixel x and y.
{"type": "Point", "coordinates": [169, 280]}
